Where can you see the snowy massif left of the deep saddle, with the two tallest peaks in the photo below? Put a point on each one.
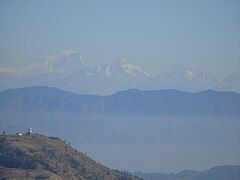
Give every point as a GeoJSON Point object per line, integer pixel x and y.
{"type": "Point", "coordinates": [68, 70]}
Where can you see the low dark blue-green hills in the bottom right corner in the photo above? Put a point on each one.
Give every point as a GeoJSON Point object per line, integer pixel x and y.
{"type": "Point", "coordinates": [215, 173]}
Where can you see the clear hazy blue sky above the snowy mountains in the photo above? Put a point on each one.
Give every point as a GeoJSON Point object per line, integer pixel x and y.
{"type": "Point", "coordinates": [151, 34]}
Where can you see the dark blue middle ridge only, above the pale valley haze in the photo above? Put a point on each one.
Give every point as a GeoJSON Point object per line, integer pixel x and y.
{"type": "Point", "coordinates": [132, 102]}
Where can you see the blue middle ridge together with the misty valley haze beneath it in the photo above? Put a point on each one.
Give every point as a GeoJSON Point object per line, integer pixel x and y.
{"type": "Point", "coordinates": [142, 126]}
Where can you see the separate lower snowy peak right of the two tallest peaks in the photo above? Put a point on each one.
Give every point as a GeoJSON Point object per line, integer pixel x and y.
{"type": "Point", "coordinates": [184, 78]}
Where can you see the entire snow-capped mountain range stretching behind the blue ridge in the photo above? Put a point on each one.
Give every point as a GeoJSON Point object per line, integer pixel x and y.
{"type": "Point", "coordinates": [69, 71]}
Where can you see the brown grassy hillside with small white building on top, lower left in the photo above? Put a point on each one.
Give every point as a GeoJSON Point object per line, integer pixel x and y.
{"type": "Point", "coordinates": [37, 156]}
